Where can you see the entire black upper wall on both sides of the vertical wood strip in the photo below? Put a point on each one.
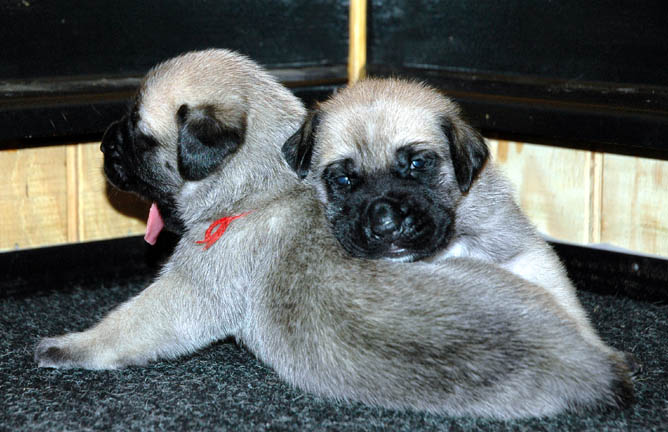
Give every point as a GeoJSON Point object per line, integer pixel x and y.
{"type": "Point", "coordinates": [583, 74]}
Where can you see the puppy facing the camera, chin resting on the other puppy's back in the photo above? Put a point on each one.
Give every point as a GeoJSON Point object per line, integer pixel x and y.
{"type": "Point", "coordinates": [403, 177]}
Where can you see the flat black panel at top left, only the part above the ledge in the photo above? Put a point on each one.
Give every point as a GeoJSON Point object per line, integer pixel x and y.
{"type": "Point", "coordinates": [115, 38]}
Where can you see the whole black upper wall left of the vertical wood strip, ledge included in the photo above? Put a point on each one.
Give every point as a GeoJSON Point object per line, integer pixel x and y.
{"type": "Point", "coordinates": [68, 70]}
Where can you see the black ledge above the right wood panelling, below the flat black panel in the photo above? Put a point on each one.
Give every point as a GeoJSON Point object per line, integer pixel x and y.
{"type": "Point", "coordinates": [584, 115]}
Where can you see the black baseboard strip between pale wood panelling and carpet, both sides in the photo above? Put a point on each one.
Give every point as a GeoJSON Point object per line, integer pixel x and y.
{"type": "Point", "coordinates": [28, 272]}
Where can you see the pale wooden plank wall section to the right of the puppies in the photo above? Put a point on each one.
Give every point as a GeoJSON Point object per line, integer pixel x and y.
{"type": "Point", "coordinates": [588, 197]}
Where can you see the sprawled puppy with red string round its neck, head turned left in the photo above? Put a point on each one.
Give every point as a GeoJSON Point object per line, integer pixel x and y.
{"type": "Point", "coordinates": [203, 142]}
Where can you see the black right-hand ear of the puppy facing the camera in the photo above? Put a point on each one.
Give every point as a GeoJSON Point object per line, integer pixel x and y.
{"type": "Point", "coordinates": [467, 150]}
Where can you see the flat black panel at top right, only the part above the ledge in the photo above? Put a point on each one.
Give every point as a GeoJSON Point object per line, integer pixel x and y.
{"type": "Point", "coordinates": [596, 40]}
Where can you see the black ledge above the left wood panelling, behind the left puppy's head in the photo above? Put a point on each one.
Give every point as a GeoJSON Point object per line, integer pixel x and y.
{"type": "Point", "coordinates": [45, 112]}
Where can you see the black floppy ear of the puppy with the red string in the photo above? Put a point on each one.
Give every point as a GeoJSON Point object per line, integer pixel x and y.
{"type": "Point", "coordinates": [204, 142]}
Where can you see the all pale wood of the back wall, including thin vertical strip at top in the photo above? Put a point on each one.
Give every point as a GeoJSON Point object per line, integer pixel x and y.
{"type": "Point", "coordinates": [56, 195]}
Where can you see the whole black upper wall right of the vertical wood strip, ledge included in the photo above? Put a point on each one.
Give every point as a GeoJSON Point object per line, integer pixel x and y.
{"type": "Point", "coordinates": [589, 74]}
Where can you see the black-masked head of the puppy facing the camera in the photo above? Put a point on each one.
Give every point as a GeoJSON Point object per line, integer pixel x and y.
{"type": "Point", "coordinates": [390, 160]}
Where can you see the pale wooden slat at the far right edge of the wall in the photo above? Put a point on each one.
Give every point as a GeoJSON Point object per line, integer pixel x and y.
{"type": "Point", "coordinates": [635, 203]}
